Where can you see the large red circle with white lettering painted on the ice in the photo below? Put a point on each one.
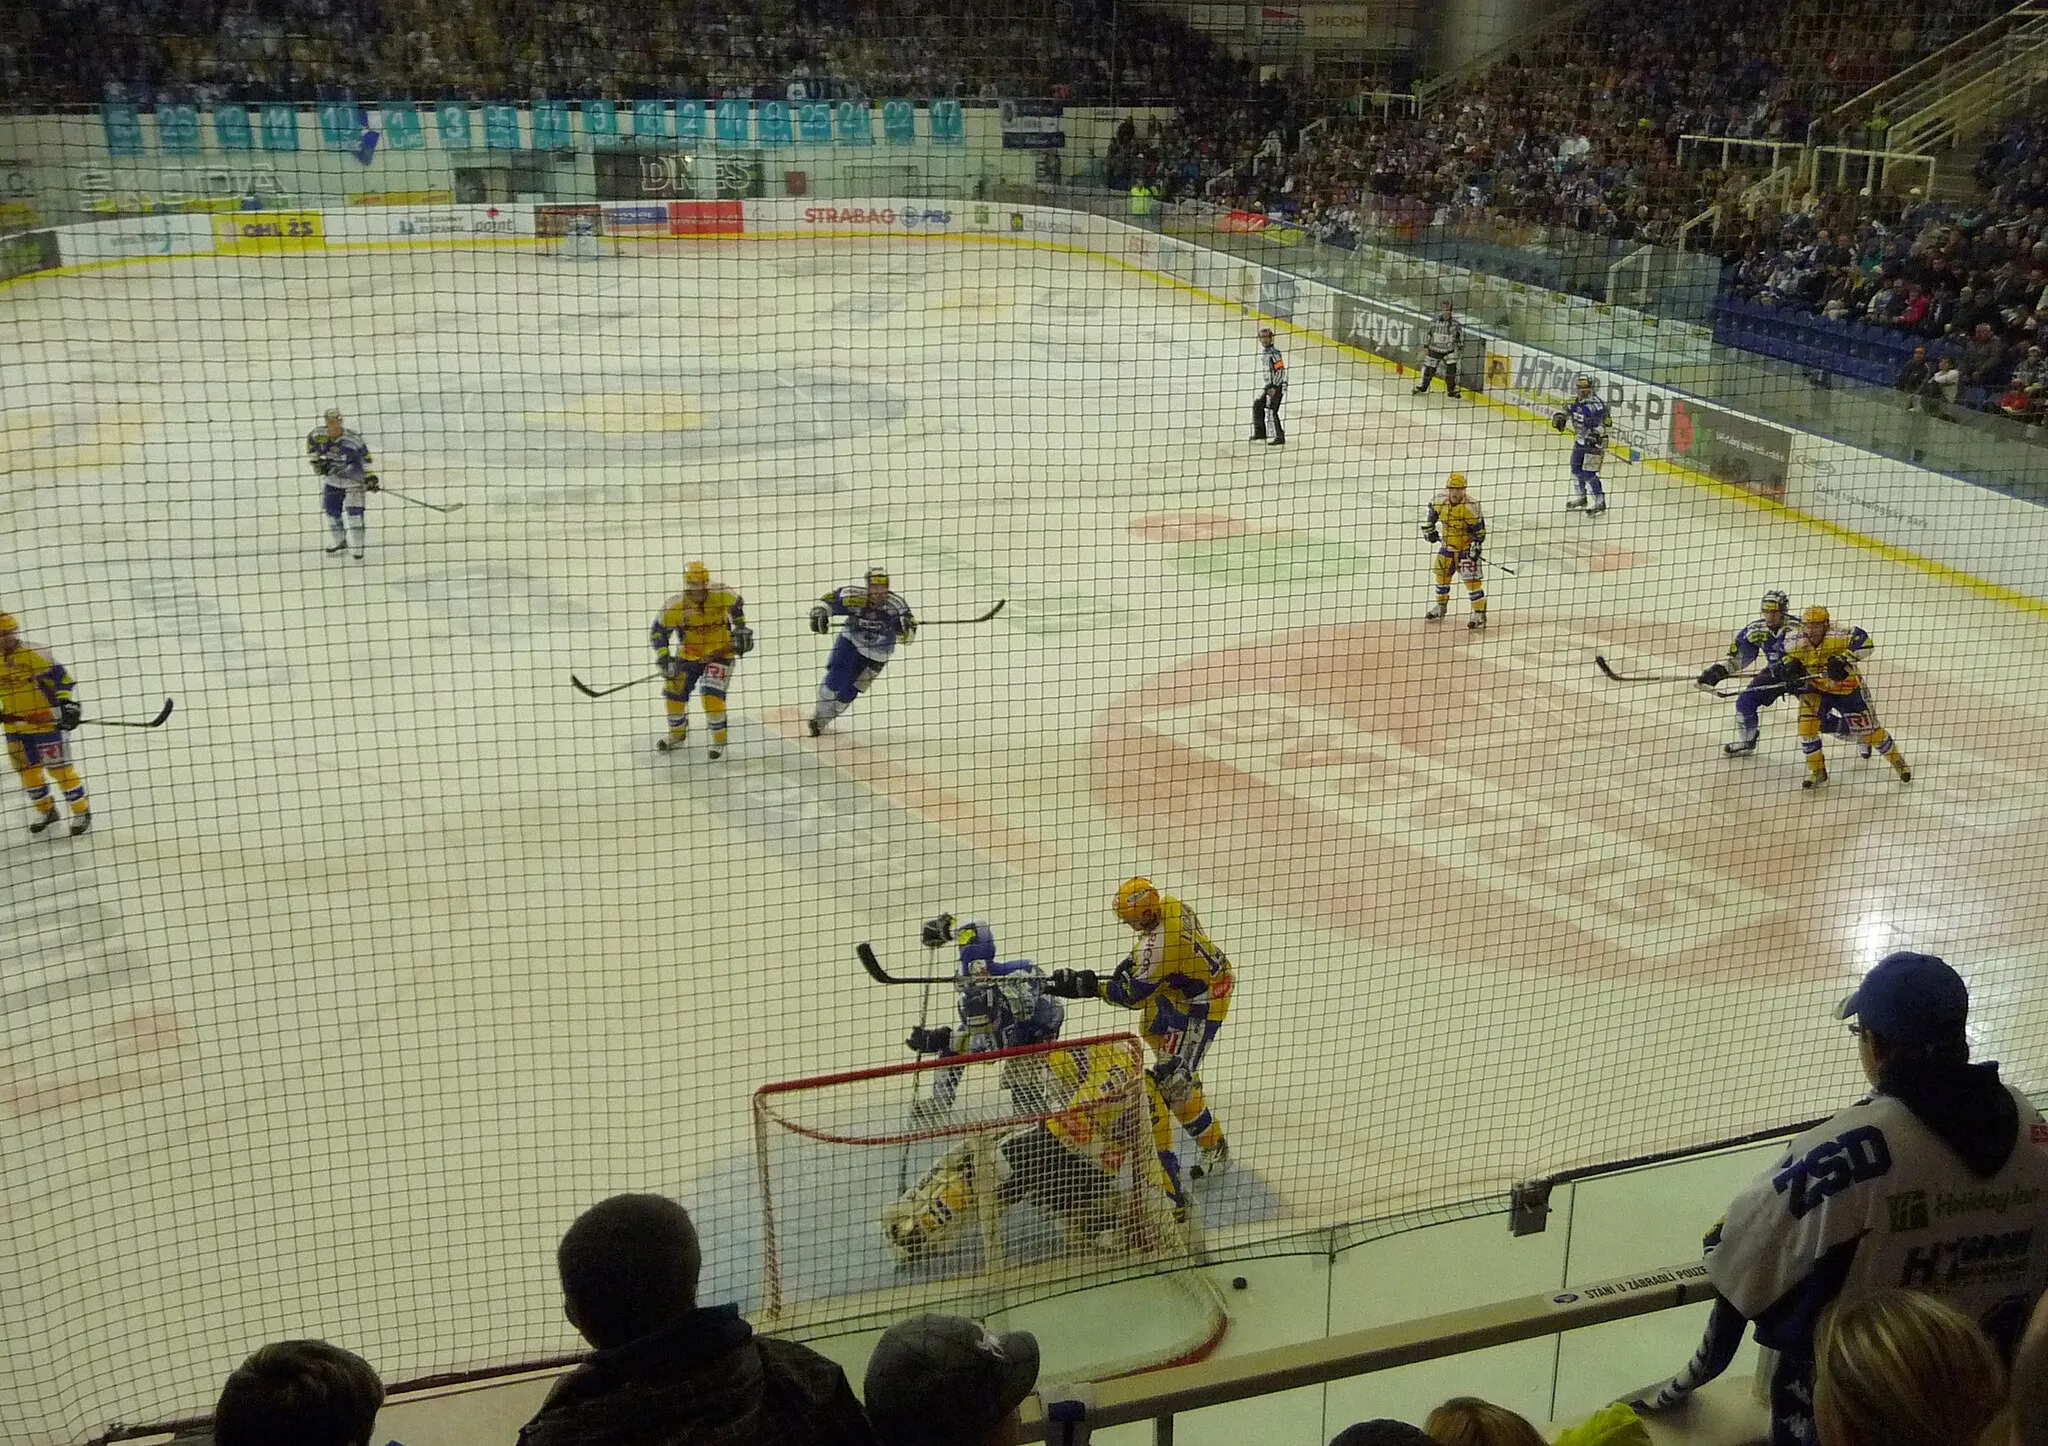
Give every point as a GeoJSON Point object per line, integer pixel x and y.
{"type": "Point", "coordinates": [1494, 796]}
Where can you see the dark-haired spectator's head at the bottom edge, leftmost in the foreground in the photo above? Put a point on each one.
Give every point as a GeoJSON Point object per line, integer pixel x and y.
{"type": "Point", "coordinates": [298, 1394]}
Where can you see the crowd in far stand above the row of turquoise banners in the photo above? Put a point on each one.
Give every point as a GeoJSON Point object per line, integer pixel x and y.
{"type": "Point", "coordinates": [1086, 52]}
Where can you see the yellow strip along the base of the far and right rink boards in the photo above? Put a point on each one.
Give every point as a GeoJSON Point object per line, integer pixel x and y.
{"type": "Point", "coordinates": [1877, 548]}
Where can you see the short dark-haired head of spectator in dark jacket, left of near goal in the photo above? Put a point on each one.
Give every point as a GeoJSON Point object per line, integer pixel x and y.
{"type": "Point", "coordinates": [630, 1269]}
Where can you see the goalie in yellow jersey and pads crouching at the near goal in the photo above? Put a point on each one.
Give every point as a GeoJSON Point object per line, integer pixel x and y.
{"type": "Point", "coordinates": [1101, 1164]}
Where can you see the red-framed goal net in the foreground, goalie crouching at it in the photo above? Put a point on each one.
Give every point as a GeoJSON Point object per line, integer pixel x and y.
{"type": "Point", "coordinates": [966, 1183]}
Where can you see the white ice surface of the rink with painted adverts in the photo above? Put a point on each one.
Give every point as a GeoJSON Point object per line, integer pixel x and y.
{"type": "Point", "coordinates": [392, 951]}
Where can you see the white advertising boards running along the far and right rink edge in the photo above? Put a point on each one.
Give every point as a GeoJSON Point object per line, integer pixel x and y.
{"type": "Point", "coordinates": [1900, 511]}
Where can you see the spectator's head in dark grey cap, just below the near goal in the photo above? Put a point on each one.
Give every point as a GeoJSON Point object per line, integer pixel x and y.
{"type": "Point", "coordinates": [949, 1381]}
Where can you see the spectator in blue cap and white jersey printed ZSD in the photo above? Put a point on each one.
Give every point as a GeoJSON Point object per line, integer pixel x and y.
{"type": "Point", "coordinates": [1934, 1183]}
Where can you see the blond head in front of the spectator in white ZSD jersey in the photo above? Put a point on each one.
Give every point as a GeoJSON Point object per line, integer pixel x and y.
{"type": "Point", "coordinates": [1904, 1369]}
